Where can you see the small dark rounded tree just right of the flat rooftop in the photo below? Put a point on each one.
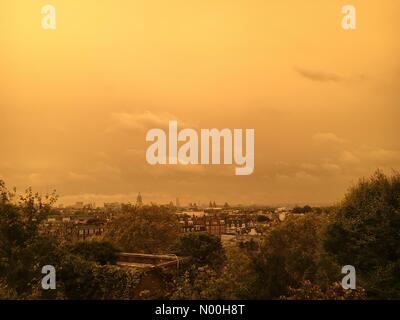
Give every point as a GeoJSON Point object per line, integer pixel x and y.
{"type": "Point", "coordinates": [202, 248]}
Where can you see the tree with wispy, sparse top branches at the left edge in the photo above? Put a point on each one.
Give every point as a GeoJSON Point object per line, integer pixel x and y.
{"type": "Point", "coordinates": [23, 250]}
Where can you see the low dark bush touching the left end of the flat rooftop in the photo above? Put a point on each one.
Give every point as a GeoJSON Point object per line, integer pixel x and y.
{"type": "Point", "coordinates": [102, 252]}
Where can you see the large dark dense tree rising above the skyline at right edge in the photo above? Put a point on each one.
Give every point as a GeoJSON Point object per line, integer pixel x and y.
{"type": "Point", "coordinates": [365, 233]}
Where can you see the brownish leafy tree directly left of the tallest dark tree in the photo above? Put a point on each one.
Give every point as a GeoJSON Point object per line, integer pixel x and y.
{"type": "Point", "coordinates": [289, 255]}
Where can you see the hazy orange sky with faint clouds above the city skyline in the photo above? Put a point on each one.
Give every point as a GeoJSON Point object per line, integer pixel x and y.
{"type": "Point", "coordinates": [76, 103]}
